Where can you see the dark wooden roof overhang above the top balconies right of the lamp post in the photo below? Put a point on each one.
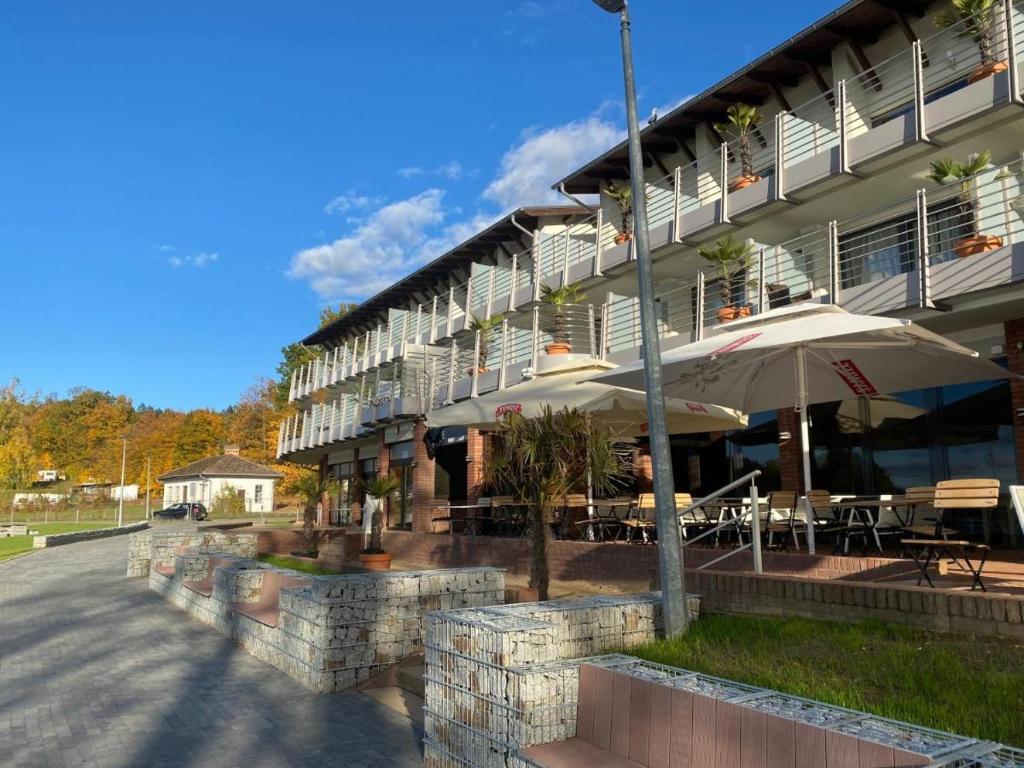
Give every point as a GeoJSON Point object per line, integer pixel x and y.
{"type": "Point", "coordinates": [860, 21]}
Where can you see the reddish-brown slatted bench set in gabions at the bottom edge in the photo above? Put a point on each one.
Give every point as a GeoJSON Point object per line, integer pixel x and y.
{"type": "Point", "coordinates": [624, 721]}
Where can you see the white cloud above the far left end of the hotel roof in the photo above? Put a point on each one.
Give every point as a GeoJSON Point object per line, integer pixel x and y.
{"type": "Point", "coordinates": [393, 241]}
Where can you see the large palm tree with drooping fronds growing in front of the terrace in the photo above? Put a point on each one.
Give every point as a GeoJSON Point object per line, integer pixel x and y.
{"type": "Point", "coordinates": [544, 459]}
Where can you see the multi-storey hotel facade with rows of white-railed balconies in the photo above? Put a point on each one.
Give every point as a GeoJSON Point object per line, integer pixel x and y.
{"type": "Point", "coordinates": [832, 191]}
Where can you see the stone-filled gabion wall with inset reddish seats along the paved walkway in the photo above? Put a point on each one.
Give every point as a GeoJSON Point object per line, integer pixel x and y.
{"type": "Point", "coordinates": [339, 631]}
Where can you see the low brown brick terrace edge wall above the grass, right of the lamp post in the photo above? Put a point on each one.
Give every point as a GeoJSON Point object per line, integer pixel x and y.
{"type": "Point", "coordinates": [968, 613]}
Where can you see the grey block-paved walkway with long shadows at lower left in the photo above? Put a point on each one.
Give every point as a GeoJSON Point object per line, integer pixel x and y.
{"type": "Point", "coordinates": [98, 671]}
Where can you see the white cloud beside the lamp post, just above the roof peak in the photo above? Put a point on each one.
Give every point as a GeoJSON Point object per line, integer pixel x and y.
{"type": "Point", "coordinates": [529, 169]}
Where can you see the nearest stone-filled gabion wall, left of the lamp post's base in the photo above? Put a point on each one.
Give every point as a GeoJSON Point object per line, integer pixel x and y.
{"type": "Point", "coordinates": [490, 673]}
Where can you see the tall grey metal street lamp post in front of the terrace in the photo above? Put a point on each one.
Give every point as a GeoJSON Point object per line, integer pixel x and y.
{"type": "Point", "coordinates": [670, 551]}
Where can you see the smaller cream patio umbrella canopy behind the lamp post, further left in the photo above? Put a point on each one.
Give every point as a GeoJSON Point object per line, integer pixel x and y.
{"type": "Point", "coordinates": [622, 410]}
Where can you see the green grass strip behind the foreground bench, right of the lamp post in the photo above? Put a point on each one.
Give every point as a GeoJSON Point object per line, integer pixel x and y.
{"type": "Point", "coordinates": [960, 685]}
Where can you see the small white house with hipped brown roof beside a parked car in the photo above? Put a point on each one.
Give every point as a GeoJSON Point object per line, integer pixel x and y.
{"type": "Point", "coordinates": [206, 480]}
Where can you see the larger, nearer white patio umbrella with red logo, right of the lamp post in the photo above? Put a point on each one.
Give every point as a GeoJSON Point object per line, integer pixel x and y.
{"type": "Point", "coordinates": [809, 354]}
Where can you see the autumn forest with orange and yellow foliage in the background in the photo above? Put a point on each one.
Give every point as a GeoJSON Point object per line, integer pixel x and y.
{"type": "Point", "coordinates": [80, 434]}
